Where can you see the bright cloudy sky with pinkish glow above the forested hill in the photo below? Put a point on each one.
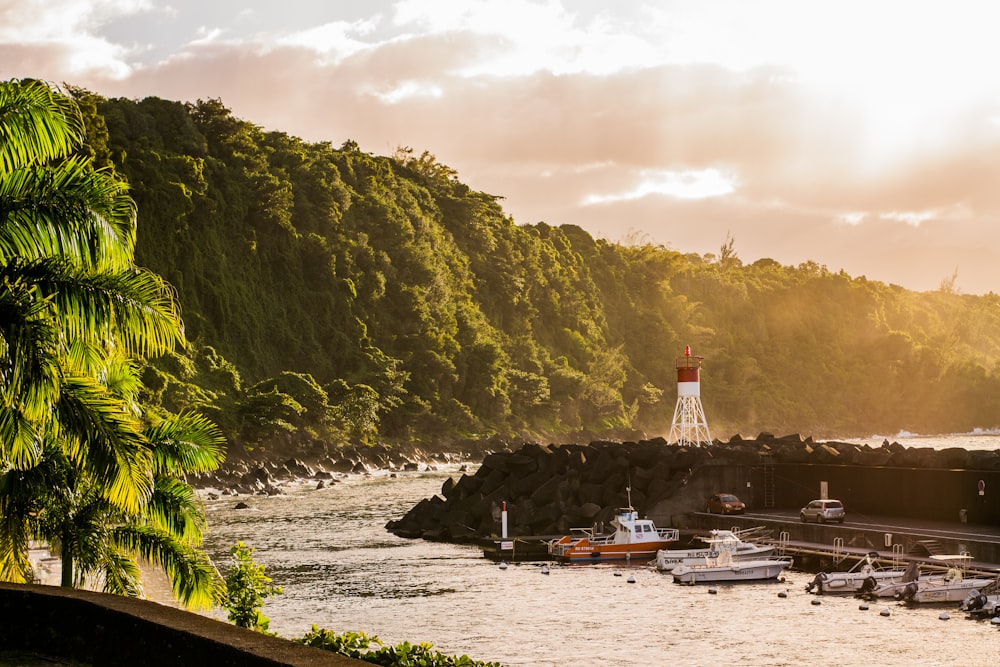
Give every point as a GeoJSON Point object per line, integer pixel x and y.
{"type": "Point", "coordinates": [862, 136]}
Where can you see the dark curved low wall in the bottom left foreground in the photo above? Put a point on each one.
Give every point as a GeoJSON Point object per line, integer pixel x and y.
{"type": "Point", "coordinates": [102, 630]}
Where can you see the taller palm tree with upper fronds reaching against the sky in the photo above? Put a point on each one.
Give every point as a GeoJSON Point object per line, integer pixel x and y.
{"type": "Point", "coordinates": [67, 237]}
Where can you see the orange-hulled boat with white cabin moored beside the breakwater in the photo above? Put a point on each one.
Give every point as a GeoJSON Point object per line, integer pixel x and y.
{"type": "Point", "coordinates": [632, 539]}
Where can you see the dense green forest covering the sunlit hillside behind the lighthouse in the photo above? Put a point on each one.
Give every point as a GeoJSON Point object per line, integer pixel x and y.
{"type": "Point", "coordinates": [333, 295]}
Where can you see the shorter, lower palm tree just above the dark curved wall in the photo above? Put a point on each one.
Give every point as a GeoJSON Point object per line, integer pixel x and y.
{"type": "Point", "coordinates": [99, 543]}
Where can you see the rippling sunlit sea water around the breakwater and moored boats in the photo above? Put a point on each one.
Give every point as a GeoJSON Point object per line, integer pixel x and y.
{"type": "Point", "coordinates": [342, 571]}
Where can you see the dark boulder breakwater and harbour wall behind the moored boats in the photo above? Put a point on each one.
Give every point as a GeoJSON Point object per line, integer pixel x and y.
{"type": "Point", "coordinates": [549, 489]}
